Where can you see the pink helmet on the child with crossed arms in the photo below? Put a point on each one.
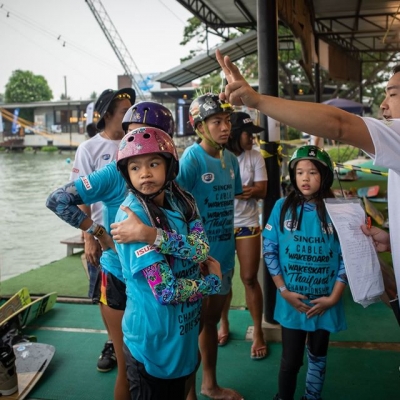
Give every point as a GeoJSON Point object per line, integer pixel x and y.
{"type": "Point", "coordinates": [147, 140]}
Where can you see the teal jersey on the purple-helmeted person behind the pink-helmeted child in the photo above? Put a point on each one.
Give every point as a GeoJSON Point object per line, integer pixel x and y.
{"type": "Point", "coordinates": [108, 186]}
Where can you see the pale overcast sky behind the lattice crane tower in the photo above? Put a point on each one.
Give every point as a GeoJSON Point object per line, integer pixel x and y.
{"type": "Point", "coordinates": [61, 38]}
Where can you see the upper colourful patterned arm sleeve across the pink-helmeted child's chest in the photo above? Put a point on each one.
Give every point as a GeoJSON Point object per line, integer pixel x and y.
{"type": "Point", "coordinates": [193, 246]}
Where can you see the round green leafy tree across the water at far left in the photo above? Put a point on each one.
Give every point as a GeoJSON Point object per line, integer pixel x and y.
{"type": "Point", "coordinates": [25, 87]}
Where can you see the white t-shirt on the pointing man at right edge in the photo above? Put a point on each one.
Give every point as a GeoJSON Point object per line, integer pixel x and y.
{"type": "Point", "coordinates": [386, 138]}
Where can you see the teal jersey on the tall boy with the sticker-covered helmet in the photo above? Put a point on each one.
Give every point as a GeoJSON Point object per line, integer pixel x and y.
{"type": "Point", "coordinates": [214, 189]}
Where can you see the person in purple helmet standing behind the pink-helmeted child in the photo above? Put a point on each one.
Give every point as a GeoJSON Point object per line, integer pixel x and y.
{"type": "Point", "coordinates": [108, 186]}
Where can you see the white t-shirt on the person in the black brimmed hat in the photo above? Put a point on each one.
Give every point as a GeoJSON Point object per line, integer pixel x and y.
{"type": "Point", "coordinates": [91, 155]}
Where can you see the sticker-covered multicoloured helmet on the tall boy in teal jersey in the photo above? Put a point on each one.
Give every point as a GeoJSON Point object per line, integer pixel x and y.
{"type": "Point", "coordinates": [207, 105]}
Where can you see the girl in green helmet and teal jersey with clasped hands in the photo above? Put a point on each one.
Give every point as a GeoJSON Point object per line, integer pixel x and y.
{"type": "Point", "coordinates": [303, 255]}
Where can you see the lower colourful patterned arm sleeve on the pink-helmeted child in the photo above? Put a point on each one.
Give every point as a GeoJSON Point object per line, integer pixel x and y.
{"type": "Point", "coordinates": [171, 291]}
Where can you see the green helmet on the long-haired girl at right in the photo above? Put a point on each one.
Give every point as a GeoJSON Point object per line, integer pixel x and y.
{"type": "Point", "coordinates": [316, 154]}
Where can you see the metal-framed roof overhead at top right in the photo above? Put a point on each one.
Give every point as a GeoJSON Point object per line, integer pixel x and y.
{"type": "Point", "coordinates": [367, 27]}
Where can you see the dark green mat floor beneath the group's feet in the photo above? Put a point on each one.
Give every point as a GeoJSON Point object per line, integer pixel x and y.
{"type": "Point", "coordinates": [77, 333]}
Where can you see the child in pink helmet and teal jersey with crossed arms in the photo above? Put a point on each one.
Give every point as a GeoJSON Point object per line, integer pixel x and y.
{"type": "Point", "coordinates": [164, 293]}
